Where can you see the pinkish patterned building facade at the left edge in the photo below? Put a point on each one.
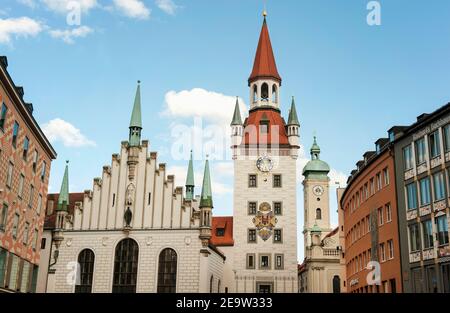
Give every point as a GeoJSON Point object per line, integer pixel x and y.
{"type": "Point", "coordinates": [25, 159]}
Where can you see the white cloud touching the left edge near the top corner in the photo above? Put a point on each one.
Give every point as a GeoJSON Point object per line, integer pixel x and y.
{"type": "Point", "coordinates": [17, 27]}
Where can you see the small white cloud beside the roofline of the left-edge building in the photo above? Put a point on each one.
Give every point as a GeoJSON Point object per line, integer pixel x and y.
{"type": "Point", "coordinates": [60, 130]}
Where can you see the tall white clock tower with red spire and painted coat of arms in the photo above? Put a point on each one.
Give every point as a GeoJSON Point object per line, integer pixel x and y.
{"type": "Point", "coordinates": [265, 151]}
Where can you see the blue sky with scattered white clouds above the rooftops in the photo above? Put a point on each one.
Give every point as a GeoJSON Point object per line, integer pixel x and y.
{"type": "Point", "coordinates": [352, 81]}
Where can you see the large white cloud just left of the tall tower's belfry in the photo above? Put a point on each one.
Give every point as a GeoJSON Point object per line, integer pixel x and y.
{"type": "Point", "coordinates": [199, 102]}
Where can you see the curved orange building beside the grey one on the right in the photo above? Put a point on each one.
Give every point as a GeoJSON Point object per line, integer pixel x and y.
{"type": "Point", "coordinates": [370, 215]}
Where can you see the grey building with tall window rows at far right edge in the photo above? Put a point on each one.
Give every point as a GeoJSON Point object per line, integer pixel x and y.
{"type": "Point", "coordinates": [422, 172]}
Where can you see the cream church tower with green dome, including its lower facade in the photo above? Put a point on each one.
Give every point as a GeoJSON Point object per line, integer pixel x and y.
{"type": "Point", "coordinates": [321, 271]}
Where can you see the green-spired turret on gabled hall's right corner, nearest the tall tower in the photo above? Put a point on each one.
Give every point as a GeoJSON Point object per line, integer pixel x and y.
{"type": "Point", "coordinates": [206, 206]}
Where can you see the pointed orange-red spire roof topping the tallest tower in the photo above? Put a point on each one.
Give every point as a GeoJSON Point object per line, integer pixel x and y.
{"type": "Point", "coordinates": [264, 65]}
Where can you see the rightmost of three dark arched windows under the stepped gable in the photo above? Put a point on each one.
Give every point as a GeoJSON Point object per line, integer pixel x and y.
{"type": "Point", "coordinates": [167, 271]}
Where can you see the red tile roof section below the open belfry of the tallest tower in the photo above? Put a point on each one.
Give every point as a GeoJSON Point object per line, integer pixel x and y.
{"type": "Point", "coordinates": [275, 135]}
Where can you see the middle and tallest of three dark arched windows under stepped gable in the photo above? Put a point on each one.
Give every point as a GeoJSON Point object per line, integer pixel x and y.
{"type": "Point", "coordinates": [125, 266]}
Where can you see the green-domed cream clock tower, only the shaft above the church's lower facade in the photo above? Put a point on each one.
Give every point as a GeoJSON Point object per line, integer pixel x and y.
{"type": "Point", "coordinates": [316, 196]}
